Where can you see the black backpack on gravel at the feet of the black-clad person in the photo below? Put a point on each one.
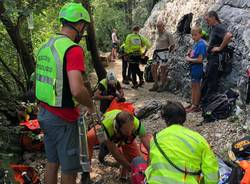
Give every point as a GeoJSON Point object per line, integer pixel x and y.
{"type": "Point", "coordinates": [219, 106]}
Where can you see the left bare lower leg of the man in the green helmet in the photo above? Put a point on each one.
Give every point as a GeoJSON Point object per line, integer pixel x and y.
{"type": "Point", "coordinates": [51, 173]}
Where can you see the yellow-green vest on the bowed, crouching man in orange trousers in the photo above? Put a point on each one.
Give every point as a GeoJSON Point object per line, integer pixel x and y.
{"type": "Point", "coordinates": [108, 123]}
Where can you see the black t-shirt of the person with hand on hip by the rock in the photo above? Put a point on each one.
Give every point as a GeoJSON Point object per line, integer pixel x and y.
{"type": "Point", "coordinates": [216, 36]}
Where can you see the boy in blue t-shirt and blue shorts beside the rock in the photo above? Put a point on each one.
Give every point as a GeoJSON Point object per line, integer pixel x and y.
{"type": "Point", "coordinates": [195, 59]}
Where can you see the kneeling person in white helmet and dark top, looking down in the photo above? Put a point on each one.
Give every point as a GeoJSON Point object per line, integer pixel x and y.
{"type": "Point", "coordinates": [109, 89]}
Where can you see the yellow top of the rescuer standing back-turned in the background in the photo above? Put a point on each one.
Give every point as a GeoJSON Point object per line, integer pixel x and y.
{"type": "Point", "coordinates": [135, 43]}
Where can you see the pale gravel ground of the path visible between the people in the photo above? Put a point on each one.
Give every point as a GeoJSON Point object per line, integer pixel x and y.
{"type": "Point", "coordinates": [219, 134]}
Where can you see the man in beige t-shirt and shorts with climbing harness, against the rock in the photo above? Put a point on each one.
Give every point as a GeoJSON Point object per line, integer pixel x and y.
{"type": "Point", "coordinates": [164, 44]}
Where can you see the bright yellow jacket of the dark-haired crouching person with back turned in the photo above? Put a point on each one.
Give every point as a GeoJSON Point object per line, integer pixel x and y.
{"type": "Point", "coordinates": [185, 148]}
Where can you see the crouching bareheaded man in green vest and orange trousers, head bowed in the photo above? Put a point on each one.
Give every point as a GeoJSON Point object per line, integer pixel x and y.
{"type": "Point", "coordinates": [119, 130]}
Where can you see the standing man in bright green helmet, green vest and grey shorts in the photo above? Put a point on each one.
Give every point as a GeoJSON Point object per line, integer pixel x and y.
{"type": "Point", "coordinates": [59, 87]}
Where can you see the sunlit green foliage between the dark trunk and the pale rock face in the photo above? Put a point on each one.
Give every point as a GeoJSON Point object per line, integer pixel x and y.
{"type": "Point", "coordinates": [109, 14]}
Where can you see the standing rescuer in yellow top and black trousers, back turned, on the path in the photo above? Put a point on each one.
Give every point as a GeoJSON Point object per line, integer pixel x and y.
{"type": "Point", "coordinates": [134, 46]}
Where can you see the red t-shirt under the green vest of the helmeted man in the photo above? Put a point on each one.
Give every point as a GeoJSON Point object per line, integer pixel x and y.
{"type": "Point", "coordinates": [74, 61]}
